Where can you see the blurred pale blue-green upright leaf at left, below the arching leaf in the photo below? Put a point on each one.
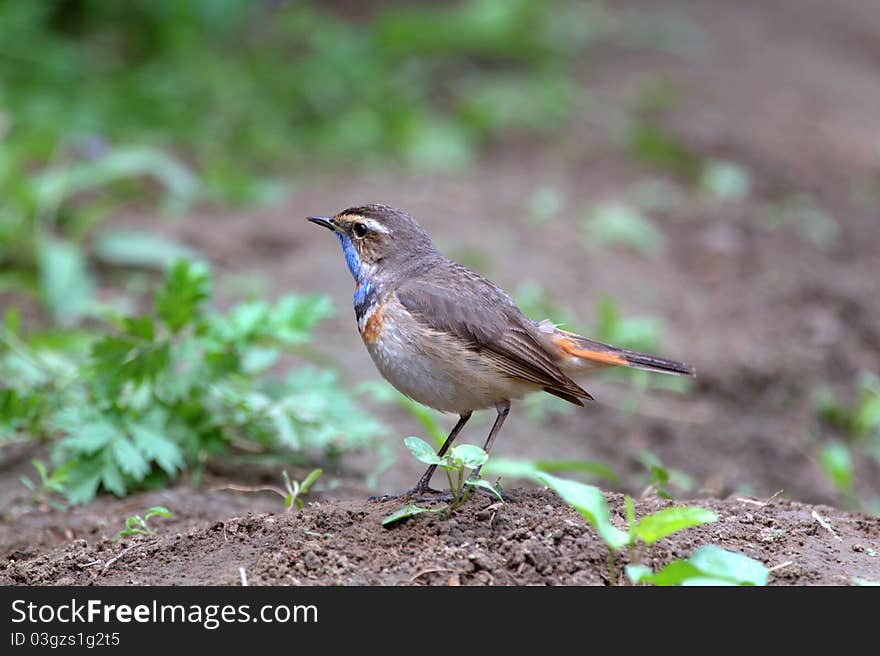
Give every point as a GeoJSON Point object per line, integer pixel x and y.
{"type": "Point", "coordinates": [66, 286]}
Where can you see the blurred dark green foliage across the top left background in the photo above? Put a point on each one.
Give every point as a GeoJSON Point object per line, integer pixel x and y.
{"type": "Point", "coordinates": [241, 87]}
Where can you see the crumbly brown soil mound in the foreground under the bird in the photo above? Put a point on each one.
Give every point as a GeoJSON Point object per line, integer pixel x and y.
{"type": "Point", "coordinates": [533, 539]}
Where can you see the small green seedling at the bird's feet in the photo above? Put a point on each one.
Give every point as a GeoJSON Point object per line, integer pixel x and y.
{"type": "Point", "coordinates": [459, 465]}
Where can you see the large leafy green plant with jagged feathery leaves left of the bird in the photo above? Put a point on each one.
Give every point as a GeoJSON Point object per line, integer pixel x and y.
{"type": "Point", "coordinates": [161, 392]}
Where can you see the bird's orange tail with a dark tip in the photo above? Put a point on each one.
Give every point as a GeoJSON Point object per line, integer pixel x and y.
{"type": "Point", "coordinates": [578, 353]}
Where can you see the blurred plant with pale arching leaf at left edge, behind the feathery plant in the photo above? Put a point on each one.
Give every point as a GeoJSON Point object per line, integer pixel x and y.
{"type": "Point", "coordinates": [49, 237]}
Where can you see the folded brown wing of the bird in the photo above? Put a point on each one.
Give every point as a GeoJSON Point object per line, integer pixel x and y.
{"type": "Point", "coordinates": [477, 312]}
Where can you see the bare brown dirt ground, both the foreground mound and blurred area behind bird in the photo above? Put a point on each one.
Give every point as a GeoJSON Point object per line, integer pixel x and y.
{"type": "Point", "coordinates": [788, 90]}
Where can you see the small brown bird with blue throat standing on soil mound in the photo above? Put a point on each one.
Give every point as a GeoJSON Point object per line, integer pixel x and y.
{"type": "Point", "coordinates": [450, 339]}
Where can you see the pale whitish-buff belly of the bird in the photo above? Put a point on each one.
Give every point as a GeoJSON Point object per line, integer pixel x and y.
{"type": "Point", "coordinates": [436, 371]}
